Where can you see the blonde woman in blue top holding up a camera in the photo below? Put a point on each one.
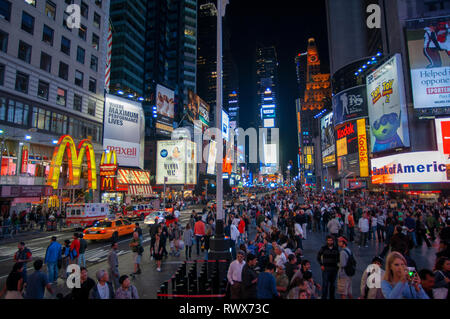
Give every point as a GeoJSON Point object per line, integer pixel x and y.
{"type": "Point", "coordinates": [397, 282]}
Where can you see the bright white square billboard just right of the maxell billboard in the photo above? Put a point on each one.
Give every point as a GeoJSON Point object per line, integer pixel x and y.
{"type": "Point", "coordinates": [176, 160]}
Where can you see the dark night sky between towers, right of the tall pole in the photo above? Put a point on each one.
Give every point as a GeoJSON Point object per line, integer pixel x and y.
{"type": "Point", "coordinates": [288, 25]}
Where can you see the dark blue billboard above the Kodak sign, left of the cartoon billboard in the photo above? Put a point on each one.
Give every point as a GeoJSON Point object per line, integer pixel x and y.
{"type": "Point", "coordinates": [350, 104]}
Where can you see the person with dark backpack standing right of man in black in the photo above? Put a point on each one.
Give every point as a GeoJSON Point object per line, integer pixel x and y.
{"type": "Point", "coordinates": [346, 270]}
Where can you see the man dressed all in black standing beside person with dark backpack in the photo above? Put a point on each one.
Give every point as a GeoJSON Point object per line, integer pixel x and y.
{"type": "Point", "coordinates": [328, 258]}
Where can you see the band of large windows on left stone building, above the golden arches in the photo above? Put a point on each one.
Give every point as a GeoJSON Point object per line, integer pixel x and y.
{"type": "Point", "coordinates": [32, 116]}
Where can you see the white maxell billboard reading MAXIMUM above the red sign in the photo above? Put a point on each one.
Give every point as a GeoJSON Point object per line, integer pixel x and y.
{"type": "Point", "coordinates": [124, 126]}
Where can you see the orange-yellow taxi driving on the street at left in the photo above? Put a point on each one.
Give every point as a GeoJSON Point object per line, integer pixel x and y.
{"type": "Point", "coordinates": [109, 229]}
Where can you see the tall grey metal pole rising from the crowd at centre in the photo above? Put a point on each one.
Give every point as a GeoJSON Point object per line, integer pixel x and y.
{"type": "Point", "coordinates": [219, 170]}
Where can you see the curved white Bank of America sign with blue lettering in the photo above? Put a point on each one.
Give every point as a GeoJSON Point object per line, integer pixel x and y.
{"type": "Point", "coordinates": [418, 167]}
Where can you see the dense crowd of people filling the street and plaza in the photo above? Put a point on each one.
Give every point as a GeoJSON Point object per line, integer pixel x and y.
{"type": "Point", "coordinates": [269, 240]}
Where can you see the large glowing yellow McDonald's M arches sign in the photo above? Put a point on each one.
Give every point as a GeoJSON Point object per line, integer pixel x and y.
{"type": "Point", "coordinates": [75, 157]}
